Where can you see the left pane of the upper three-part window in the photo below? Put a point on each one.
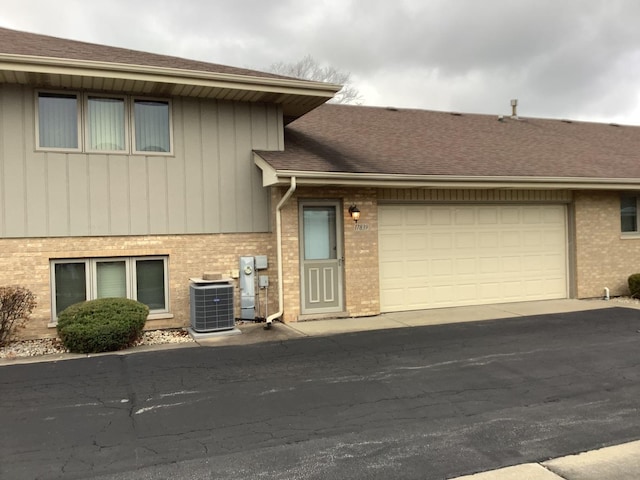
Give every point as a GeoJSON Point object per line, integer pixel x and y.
{"type": "Point", "coordinates": [57, 120]}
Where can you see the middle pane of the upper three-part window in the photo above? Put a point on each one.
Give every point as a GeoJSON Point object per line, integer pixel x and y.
{"type": "Point", "coordinates": [106, 124]}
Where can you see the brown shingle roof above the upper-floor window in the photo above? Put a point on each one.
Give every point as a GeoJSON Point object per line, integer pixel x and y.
{"type": "Point", "coordinates": [31, 44]}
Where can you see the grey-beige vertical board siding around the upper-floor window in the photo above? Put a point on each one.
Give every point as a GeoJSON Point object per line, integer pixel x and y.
{"type": "Point", "coordinates": [209, 185]}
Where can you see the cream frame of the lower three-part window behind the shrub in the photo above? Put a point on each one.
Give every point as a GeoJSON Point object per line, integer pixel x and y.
{"type": "Point", "coordinates": [91, 280]}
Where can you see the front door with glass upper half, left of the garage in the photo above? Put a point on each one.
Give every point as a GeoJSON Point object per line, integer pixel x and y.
{"type": "Point", "coordinates": [321, 257]}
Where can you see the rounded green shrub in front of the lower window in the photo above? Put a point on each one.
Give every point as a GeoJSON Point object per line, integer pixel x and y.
{"type": "Point", "coordinates": [102, 325]}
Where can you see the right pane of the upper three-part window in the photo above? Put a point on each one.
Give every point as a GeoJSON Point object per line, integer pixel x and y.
{"type": "Point", "coordinates": [152, 126]}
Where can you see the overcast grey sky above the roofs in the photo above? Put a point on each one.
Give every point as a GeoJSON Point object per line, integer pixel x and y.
{"type": "Point", "coordinates": [575, 59]}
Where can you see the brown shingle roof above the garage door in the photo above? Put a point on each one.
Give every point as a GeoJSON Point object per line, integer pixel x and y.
{"type": "Point", "coordinates": [355, 139]}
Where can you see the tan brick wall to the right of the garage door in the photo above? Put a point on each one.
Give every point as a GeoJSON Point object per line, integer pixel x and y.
{"type": "Point", "coordinates": [603, 257]}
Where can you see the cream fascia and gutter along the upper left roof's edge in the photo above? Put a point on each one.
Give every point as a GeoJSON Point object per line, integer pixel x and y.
{"type": "Point", "coordinates": [63, 66]}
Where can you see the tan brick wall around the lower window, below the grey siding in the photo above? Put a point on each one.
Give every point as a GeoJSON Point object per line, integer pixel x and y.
{"type": "Point", "coordinates": [26, 262]}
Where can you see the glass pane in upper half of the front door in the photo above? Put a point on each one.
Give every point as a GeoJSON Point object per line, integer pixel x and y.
{"type": "Point", "coordinates": [320, 233]}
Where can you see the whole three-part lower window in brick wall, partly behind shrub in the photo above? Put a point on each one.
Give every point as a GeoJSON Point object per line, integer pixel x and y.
{"type": "Point", "coordinates": [140, 278]}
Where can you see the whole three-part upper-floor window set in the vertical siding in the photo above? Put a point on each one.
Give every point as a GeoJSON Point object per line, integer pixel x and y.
{"type": "Point", "coordinates": [103, 123]}
